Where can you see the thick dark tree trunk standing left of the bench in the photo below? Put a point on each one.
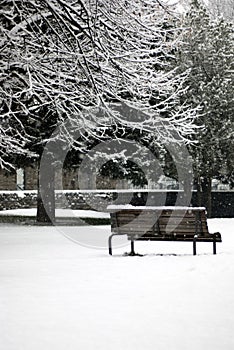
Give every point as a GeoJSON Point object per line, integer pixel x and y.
{"type": "Point", "coordinates": [46, 196]}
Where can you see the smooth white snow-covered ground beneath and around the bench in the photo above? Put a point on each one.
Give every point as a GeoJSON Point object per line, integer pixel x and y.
{"type": "Point", "coordinates": [56, 294]}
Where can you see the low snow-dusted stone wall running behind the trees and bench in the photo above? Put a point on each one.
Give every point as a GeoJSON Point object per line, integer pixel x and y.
{"type": "Point", "coordinates": [222, 202]}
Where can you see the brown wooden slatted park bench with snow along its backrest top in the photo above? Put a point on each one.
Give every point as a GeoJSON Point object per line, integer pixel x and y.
{"type": "Point", "coordinates": [183, 224]}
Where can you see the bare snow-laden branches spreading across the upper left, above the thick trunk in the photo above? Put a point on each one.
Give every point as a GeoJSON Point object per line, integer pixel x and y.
{"type": "Point", "coordinates": [62, 61]}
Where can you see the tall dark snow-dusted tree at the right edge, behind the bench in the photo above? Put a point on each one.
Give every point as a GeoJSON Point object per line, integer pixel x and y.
{"type": "Point", "coordinates": [207, 51]}
